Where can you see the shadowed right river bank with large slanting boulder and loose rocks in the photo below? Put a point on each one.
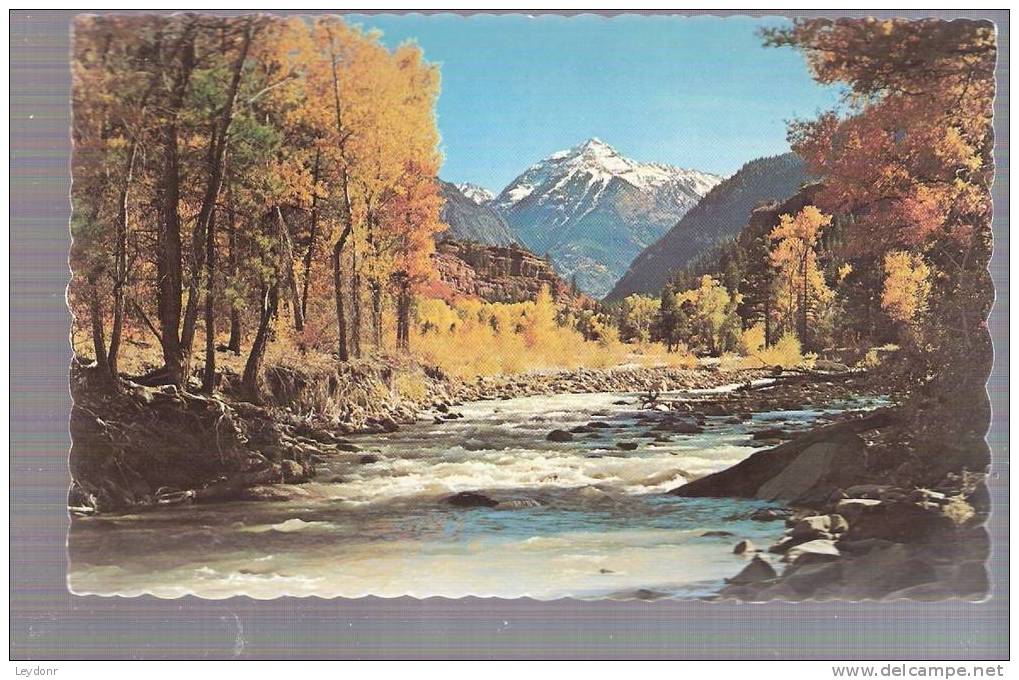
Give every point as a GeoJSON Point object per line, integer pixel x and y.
{"type": "Point", "coordinates": [867, 516]}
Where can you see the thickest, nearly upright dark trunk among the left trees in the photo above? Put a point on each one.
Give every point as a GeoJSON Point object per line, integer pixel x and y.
{"type": "Point", "coordinates": [170, 273]}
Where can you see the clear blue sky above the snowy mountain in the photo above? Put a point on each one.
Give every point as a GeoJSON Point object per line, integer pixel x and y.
{"type": "Point", "coordinates": [695, 92]}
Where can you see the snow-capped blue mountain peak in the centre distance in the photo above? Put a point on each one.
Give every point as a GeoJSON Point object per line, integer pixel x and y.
{"type": "Point", "coordinates": [594, 211]}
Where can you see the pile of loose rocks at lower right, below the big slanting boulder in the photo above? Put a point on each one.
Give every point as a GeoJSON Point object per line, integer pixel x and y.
{"type": "Point", "coordinates": [877, 543]}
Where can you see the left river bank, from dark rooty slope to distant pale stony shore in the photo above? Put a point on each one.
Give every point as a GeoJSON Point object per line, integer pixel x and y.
{"type": "Point", "coordinates": [137, 447]}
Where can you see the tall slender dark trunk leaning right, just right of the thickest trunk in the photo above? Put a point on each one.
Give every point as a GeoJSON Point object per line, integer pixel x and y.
{"type": "Point", "coordinates": [214, 164]}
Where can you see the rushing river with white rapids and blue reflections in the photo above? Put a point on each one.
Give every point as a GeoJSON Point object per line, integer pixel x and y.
{"type": "Point", "coordinates": [578, 519]}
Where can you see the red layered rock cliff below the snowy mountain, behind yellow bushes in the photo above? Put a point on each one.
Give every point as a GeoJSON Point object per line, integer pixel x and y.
{"type": "Point", "coordinates": [498, 274]}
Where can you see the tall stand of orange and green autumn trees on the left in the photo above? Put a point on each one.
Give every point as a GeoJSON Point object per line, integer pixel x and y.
{"type": "Point", "coordinates": [231, 174]}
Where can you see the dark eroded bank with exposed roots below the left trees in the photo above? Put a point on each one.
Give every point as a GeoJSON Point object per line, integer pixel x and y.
{"type": "Point", "coordinates": [135, 446]}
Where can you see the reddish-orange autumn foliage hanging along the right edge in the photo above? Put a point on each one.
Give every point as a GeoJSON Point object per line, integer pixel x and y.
{"type": "Point", "coordinates": [909, 163]}
